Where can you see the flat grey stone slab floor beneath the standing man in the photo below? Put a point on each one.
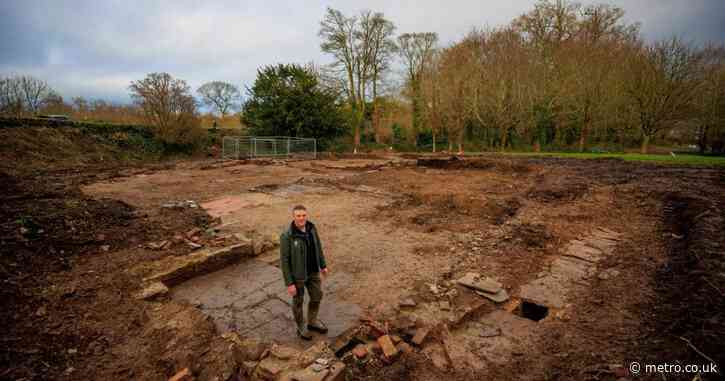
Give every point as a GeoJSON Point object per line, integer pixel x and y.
{"type": "Point", "coordinates": [251, 299]}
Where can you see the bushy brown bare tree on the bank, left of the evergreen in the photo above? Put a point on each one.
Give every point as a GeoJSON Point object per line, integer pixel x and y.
{"type": "Point", "coordinates": [168, 105]}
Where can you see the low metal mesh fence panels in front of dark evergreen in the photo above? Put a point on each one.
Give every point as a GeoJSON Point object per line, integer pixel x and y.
{"type": "Point", "coordinates": [251, 147]}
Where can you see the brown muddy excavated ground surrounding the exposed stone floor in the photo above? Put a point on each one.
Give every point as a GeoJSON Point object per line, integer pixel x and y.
{"type": "Point", "coordinates": [71, 239]}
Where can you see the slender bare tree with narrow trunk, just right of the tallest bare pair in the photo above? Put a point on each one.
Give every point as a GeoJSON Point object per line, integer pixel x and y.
{"type": "Point", "coordinates": [416, 50]}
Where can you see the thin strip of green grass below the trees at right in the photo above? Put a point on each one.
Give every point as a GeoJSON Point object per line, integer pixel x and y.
{"type": "Point", "coordinates": [678, 159]}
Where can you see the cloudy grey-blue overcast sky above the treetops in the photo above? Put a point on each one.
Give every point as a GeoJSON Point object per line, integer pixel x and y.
{"type": "Point", "coordinates": [95, 48]}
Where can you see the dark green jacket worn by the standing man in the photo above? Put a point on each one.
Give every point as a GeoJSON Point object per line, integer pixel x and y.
{"type": "Point", "coordinates": [293, 253]}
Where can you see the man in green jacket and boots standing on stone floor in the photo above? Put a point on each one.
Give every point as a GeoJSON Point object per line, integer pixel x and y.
{"type": "Point", "coordinates": [302, 263]}
